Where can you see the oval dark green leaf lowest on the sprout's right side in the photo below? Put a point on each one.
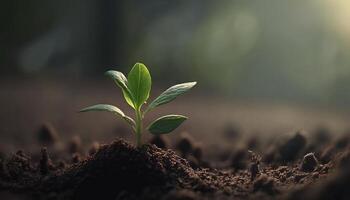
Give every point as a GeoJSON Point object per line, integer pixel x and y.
{"type": "Point", "coordinates": [166, 124]}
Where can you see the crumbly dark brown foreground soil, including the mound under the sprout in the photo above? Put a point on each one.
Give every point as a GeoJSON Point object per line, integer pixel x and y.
{"type": "Point", "coordinates": [121, 171]}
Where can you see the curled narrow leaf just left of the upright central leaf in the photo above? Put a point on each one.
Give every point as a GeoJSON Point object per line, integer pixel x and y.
{"type": "Point", "coordinates": [122, 82]}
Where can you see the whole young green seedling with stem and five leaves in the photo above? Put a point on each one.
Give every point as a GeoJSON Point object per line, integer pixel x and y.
{"type": "Point", "coordinates": [136, 89]}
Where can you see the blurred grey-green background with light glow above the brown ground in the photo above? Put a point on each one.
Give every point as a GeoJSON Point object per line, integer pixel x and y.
{"type": "Point", "coordinates": [292, 50]}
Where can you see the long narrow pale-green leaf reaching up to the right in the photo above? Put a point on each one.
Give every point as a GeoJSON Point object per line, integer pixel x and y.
{"type": "Point", "coordinates": [171, 94]}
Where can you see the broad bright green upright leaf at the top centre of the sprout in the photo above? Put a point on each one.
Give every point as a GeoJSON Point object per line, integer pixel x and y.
{"type": "Point", "coordinates": [139, 83]}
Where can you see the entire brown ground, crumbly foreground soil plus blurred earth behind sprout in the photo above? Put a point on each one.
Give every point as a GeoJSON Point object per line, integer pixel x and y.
{"type": "Point", "coordinates": [226, 150]}
